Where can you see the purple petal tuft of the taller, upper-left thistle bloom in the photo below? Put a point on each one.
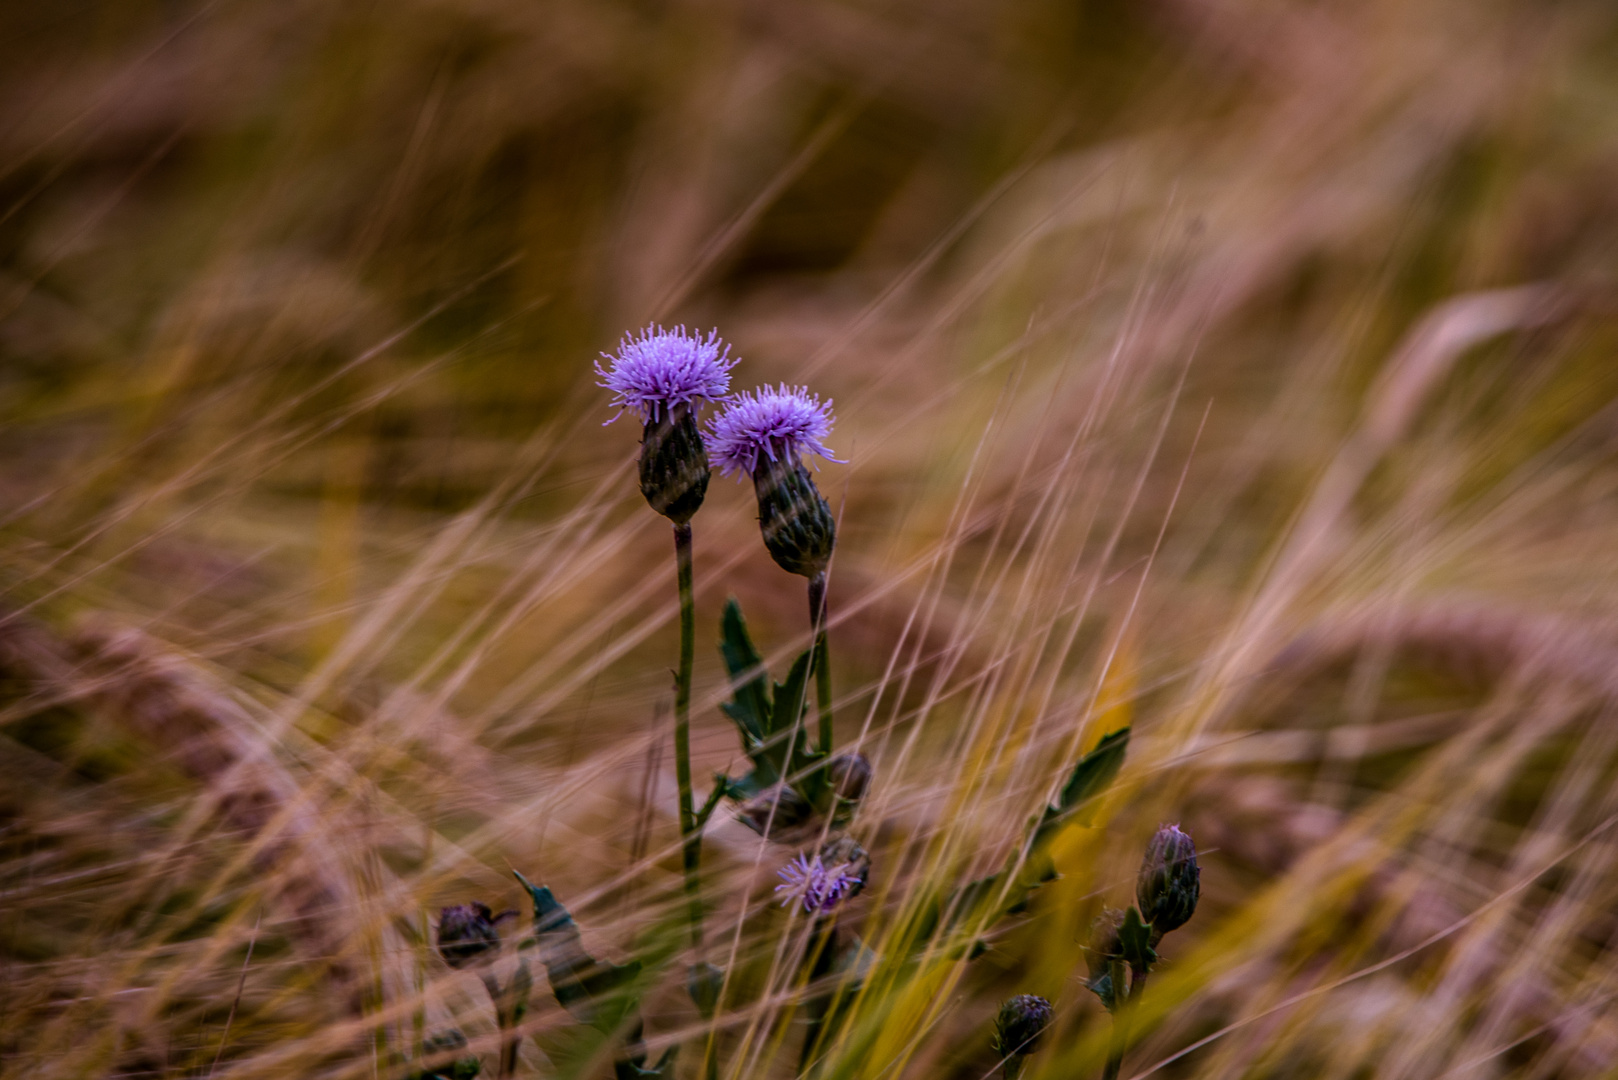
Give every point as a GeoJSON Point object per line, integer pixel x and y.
{"type": "Point", "coordinates": [663, 370]}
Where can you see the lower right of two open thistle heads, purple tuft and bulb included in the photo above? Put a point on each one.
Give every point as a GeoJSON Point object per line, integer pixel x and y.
{"type": "Point", "coordinates": [765, 435]}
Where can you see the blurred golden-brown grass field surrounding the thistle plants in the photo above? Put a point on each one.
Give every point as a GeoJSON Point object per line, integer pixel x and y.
{"type": "Point", "coordinates": [1240, 370]}
